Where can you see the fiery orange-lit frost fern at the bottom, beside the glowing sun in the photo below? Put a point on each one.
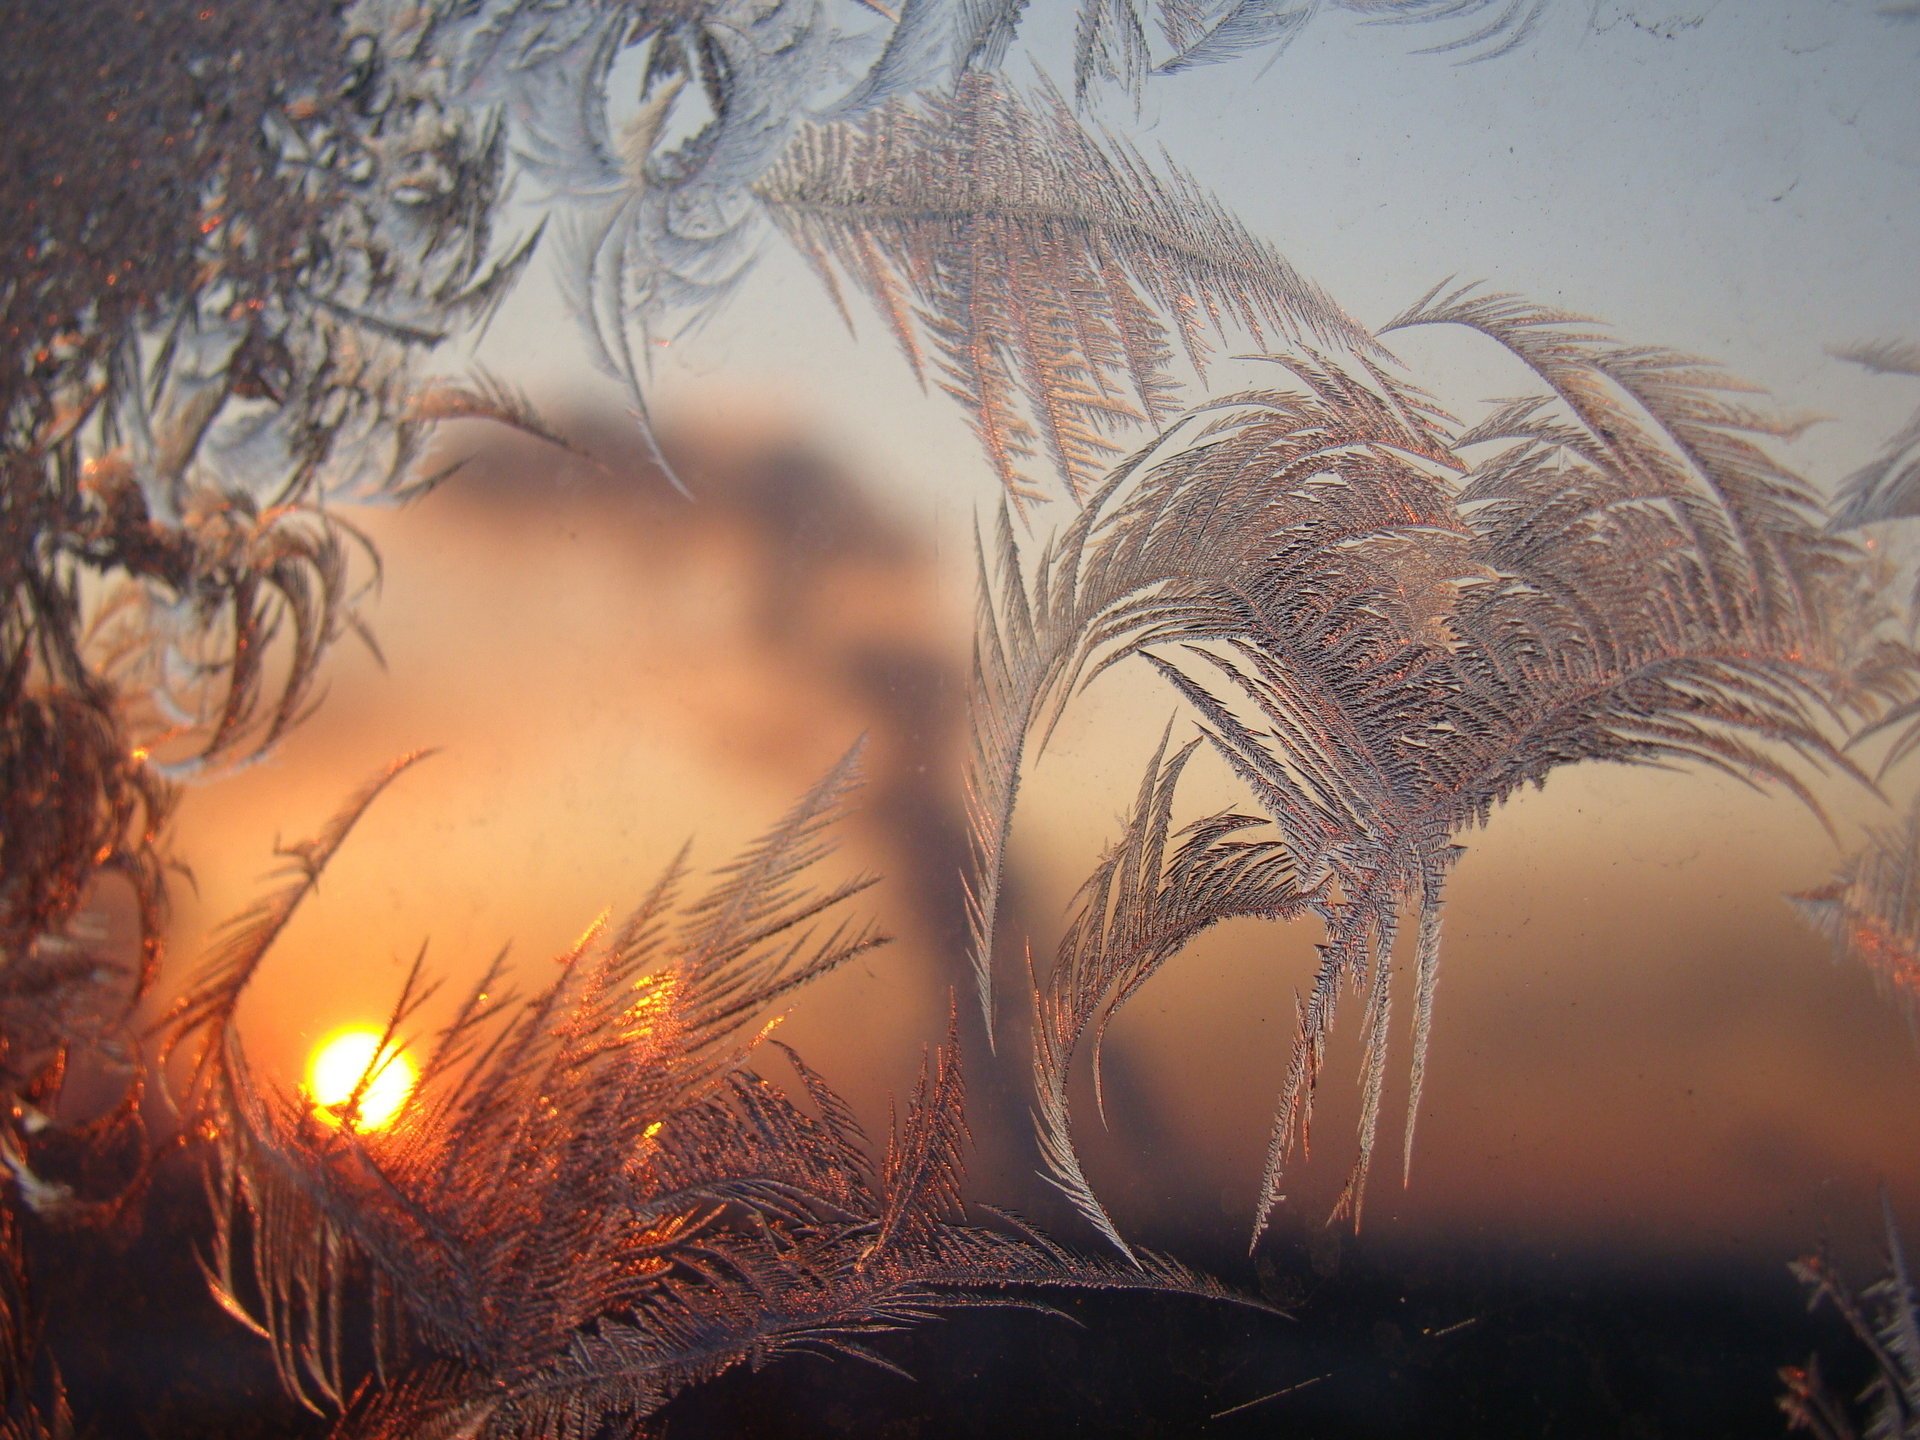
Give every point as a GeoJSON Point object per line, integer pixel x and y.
{"type": "Point", "coordinates": [596, 1197]}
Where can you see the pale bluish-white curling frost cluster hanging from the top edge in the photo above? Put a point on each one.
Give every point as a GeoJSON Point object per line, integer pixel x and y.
{"type": "Point", "coordinates": [656, 224]}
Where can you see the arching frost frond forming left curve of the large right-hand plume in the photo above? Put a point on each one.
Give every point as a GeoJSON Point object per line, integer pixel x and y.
{"type": "Point", "coordinates": [1155, 558]}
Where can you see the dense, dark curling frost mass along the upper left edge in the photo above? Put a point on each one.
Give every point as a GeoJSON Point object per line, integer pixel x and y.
{"type": "Point", "coordinates": [231, 279]}
